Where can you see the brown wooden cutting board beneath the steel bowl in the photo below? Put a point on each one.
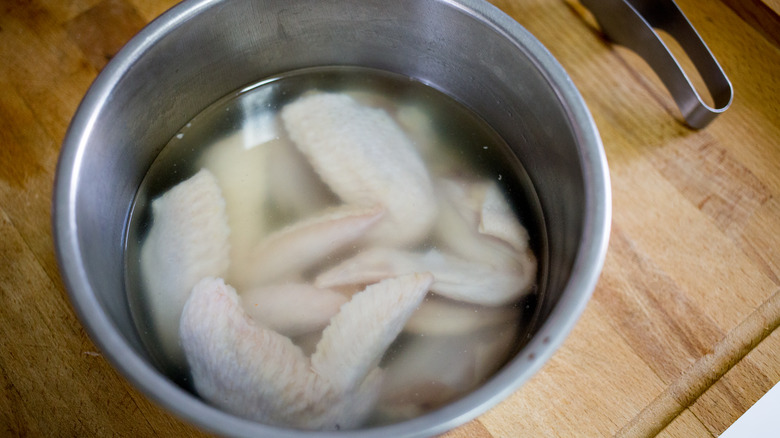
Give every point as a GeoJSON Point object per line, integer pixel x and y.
{"type": "Point", "coordinates": [679, 339]}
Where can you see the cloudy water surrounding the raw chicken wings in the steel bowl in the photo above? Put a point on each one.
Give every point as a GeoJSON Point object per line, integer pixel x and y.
{"type": "Point", "coordinates": [449, 347]}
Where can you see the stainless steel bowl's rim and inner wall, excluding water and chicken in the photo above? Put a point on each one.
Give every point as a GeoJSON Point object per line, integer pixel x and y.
{"type": "Point", "coordinates": [203, 49]}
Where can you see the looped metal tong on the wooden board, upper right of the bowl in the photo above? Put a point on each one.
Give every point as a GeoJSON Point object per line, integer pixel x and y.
{"type": "Point", "coordinates": [631, 23]}
